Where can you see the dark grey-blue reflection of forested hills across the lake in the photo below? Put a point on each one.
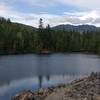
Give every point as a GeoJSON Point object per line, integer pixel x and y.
{"type": "Point", "coordinates": [25, 66]}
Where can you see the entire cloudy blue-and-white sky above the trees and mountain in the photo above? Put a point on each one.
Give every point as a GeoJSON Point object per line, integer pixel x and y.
{"type": "Point", "coordinates": [53, 12]}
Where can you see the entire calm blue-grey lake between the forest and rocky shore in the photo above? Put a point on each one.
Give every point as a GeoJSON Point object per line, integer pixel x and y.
{"type": "Point", "coordinates": [30, 72]}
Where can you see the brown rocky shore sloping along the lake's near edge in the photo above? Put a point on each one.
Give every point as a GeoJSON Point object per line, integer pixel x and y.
{"type": "Point", "coordinates": [87, 88]}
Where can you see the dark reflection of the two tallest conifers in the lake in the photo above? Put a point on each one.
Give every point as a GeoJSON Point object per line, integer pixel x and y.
{"type": "Point", "coordinates": [43, 68]}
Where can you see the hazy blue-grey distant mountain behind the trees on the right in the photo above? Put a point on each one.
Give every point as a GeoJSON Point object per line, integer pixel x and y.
{"type": "Point", "coordinates": [79, 28]}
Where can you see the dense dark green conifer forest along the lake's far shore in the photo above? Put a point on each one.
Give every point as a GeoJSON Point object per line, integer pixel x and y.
{"type": "Point", "coordinates": [17, 38]}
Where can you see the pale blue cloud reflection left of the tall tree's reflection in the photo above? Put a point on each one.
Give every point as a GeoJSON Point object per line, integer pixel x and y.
{"type": "Point", "coordinates": [17, 84]}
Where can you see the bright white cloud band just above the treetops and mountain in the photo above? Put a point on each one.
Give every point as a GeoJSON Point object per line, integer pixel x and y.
{"type": "Point", "coordinates": [76, 18]}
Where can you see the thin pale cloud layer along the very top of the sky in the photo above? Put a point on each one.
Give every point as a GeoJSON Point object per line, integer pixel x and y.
{"type": "Point", "coordinates": [88, 4]}
